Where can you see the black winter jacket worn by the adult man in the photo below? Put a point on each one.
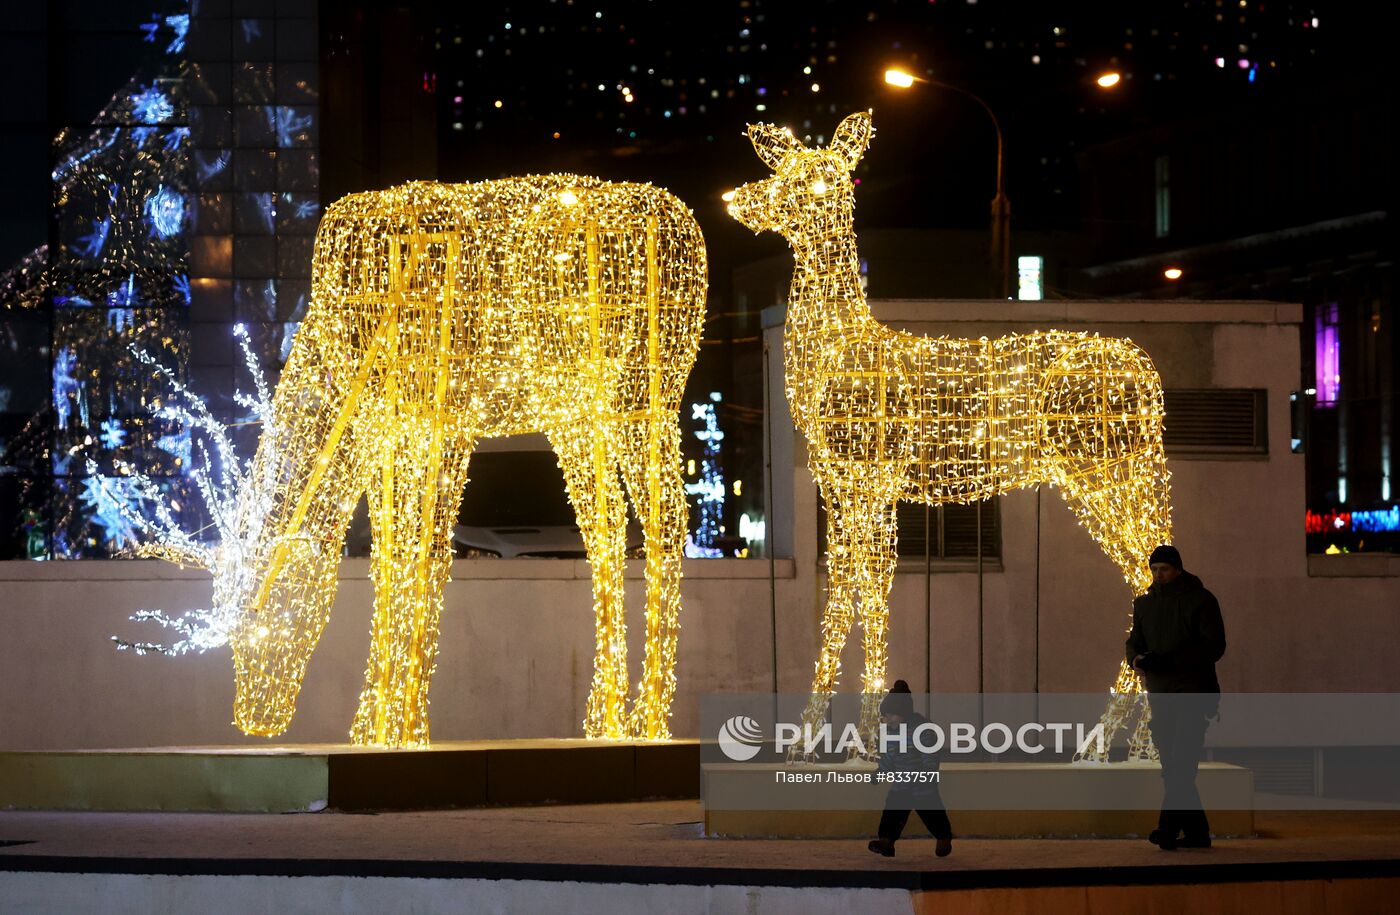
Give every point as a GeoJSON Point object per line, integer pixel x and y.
{"type": "Point", "coordinates": [1179, 630]}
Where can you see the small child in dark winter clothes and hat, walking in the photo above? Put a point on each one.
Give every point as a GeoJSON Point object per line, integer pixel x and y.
{"type": "Point", "coordinates": [898, 709]}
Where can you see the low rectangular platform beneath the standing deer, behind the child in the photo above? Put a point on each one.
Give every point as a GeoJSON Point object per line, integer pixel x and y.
{"type": "Point", "coordinates": [993, 800]}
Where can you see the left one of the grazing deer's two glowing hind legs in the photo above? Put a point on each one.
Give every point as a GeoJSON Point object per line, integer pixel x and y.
{"type": "Point", "coordinates": [597, 496]}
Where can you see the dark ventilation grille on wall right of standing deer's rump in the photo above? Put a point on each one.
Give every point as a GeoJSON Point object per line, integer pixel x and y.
{"type": "Point", "coordinates": [1216, 422]}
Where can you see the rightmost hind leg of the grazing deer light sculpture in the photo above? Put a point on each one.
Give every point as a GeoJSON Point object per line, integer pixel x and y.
{"type": "Point", "coordinates": [652, 469]}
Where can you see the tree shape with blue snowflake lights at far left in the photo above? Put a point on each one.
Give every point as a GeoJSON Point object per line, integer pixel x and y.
{"type": "Point", "coordinates": [117, 279]}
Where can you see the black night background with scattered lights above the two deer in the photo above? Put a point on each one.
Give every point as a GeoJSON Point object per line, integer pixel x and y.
{"type": "Point", "coordinates": [698, 73]}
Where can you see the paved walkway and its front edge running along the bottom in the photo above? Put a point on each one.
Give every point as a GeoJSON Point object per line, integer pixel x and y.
{"type": "Point", "coordinates": [653, 857]}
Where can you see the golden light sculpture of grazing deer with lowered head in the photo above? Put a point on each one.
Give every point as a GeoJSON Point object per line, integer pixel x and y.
{"type": "Point", "coordinates": [442, 315]}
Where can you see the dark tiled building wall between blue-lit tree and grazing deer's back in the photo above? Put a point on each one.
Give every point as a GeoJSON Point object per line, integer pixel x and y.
{"type": "Point", "coordinates": [255, 135]}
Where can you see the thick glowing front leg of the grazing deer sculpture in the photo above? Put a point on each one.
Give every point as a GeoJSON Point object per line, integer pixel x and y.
{"type": "Point", "coordinates": [414, 506]}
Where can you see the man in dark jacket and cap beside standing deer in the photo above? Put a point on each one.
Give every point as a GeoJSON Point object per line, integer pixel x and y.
{"type": "Point", "coordinates": [1177, 639]}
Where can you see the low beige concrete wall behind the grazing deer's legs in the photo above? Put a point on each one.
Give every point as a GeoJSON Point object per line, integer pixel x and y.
{"type": "Point", "coordinates": [516, 658]}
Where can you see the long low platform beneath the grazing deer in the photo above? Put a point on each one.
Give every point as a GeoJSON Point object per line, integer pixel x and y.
{"type": "Point", "coordinates": [297, 779]}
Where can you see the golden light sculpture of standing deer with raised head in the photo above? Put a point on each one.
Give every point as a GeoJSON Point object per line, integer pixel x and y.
{"type": "Point", "coordinates": [892, 416]}
